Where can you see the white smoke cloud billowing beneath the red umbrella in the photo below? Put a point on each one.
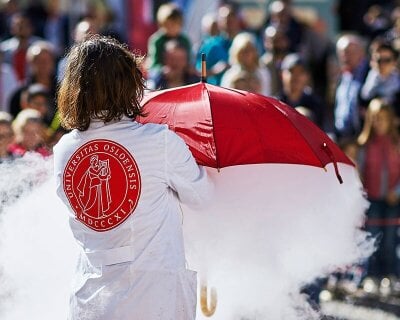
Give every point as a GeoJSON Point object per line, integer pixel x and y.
{"type": "Point", "coordinates": [272, 229]}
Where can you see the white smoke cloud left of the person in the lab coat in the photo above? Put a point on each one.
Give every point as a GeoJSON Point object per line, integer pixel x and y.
{"type": "Point", "coordinates": [37, 251]}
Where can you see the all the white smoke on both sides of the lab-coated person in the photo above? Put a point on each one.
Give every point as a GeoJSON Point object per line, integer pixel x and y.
{"type": "Point", "coordinates": [270, 230]}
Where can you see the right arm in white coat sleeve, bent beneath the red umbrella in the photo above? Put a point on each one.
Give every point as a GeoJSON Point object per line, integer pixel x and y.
{"type": "Point", "coordinates": [185, 177]}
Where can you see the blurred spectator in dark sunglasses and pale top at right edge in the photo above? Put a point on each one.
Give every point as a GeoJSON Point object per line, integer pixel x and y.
{"type": "Point", "coordinates": [383, 79]}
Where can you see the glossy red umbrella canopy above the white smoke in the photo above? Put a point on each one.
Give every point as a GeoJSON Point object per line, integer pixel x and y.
{"type": "Point", "coordinates": [225, 127]}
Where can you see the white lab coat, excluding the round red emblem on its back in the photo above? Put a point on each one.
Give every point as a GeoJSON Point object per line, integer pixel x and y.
{"type": "Point", "coordinates": [137, 270]}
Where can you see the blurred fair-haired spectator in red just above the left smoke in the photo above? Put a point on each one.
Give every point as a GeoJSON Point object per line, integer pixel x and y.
{"type": "Point", "coordinates": [30, 134]}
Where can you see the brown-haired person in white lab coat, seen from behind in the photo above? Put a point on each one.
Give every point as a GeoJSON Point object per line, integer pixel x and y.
{"type": "Point", "coordinates": [122, 183]}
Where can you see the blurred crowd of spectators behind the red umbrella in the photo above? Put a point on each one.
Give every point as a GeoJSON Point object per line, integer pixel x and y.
{"type": "Point", "coordinates": [348, 86]}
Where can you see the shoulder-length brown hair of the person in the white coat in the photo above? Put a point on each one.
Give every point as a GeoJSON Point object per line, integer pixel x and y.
{"type": "Point", "coordinates": [102, 81]}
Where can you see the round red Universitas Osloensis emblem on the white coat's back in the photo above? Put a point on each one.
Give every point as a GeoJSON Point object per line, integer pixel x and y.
{"type": "Point", "coordinates": [102, 184]}
